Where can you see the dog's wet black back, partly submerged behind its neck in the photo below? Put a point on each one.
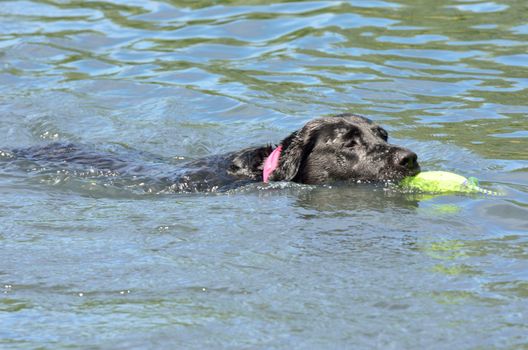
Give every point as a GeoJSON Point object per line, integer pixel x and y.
{"type": "Point", "coordinates": [126, 169]}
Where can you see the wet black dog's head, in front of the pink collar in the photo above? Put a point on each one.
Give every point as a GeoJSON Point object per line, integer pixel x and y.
{"type": "Point", "coordinates": [345, 147]}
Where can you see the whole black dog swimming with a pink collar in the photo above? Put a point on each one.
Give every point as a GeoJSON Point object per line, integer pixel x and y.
{"type": "Point", "coordinates": [343, 148]}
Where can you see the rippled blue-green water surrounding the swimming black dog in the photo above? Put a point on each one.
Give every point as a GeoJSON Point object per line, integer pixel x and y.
{"type": "Point", "coordinates": [283, 266]}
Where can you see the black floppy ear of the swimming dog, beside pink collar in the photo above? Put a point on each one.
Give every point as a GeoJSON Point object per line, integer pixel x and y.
{"type": "Point", "coordinates": [295, 150]}
